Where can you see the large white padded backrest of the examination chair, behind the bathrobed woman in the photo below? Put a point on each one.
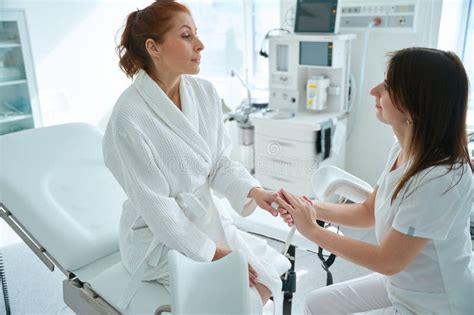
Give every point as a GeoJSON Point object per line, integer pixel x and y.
{"type": "Point", "coordinates": [55, 183]}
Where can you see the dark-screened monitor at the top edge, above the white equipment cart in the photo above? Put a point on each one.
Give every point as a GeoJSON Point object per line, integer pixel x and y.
{"type": "Point", "coordinates": [316, 16]}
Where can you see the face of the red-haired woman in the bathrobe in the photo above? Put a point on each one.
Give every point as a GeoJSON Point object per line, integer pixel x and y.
{"type": "Point", "coordinates": [180, 53]}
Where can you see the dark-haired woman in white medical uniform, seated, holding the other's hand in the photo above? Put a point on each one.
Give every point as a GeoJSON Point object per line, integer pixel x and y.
{"type": "Point", "coordinates": [420, 206]}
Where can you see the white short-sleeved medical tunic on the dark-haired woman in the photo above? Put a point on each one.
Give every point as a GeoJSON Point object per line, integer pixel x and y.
{"type": "Point", "coordinates": [435, 204]}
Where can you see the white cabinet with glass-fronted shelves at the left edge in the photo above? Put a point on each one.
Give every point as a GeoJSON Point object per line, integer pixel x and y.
{"type": "Point", "coordinates": [19, 107]}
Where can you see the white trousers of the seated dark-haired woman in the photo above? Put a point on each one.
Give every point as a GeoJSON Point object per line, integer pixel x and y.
{"type": "Point", "coordinates": [362, 294]}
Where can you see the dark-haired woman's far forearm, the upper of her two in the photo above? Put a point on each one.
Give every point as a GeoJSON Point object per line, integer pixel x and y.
{"type": "Point", "coordinates": [350, 215]}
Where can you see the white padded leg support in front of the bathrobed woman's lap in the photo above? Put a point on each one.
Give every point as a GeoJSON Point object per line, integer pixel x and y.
{"type": "Point", "coordinates": [220, 287]}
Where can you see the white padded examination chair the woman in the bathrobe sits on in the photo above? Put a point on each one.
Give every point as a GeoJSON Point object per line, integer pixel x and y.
{"type": "Point", "coordinates": [59, 197]}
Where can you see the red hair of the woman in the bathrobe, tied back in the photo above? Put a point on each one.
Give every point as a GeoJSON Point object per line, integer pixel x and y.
{"type": "Point", "coordinates": [152, 22]}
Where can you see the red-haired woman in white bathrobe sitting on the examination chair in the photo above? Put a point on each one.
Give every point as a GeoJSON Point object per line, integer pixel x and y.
{"type": "Point", "coordinates": [165, 145]}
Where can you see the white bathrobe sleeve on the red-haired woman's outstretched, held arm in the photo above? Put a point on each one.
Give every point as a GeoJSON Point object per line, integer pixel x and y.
{"type": "Point", "coordinates": [228, 177]}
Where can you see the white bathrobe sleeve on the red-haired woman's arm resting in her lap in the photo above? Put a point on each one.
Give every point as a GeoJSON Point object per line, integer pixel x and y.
{"type": "Point", "coordinates": [131, 161]}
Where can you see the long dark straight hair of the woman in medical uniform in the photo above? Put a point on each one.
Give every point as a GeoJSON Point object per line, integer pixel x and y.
{"type": "Point", "coordinates": [431, 86]}
